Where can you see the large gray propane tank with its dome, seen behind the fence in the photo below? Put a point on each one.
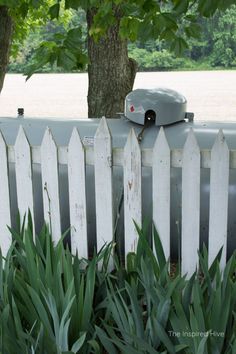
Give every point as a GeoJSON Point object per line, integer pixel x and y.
{"type": "Point", "coordinates": [145, 111]}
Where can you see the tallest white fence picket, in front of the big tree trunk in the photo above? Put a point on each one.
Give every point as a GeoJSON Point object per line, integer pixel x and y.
{"type": "Point", "coordinates": [103, 184]}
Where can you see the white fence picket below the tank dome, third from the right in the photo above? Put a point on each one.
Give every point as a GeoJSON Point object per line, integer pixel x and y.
{"type": "Point", "coordinates": [161, 190]}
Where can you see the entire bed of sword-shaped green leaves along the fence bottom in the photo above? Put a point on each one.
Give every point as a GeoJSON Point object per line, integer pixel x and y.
{"type": "Point", "coordinates": [54, 302]}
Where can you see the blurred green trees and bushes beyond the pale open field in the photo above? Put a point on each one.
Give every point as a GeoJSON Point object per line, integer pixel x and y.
{"type": "Point", "coordinates": [214, 48]}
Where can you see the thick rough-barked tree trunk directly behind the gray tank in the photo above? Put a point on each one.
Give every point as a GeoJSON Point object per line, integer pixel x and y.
{"type": "Point", "coordinates": [111, 72]}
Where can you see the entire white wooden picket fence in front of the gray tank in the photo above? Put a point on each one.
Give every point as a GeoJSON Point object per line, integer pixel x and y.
{"type": "Point", "coordinates": [132, 158]}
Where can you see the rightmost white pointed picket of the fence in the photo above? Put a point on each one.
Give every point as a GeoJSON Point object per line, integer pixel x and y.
{"type": "Point", "coordinates": [219, 182]}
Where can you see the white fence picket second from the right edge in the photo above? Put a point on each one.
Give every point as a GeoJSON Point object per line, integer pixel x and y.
{"type": "Point", "coordinates": [190, 205]}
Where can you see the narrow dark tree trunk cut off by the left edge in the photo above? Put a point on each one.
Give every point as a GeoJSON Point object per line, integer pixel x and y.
{"type": "Point", "coordinates": [5, 41]}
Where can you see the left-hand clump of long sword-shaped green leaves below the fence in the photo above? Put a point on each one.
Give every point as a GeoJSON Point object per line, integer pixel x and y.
{"type": "Point", "coordinates": [48, 298]}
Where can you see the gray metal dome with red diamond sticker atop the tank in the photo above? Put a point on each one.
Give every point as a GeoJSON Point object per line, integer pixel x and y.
{"type": "Point", "coordinates": [162, 105]}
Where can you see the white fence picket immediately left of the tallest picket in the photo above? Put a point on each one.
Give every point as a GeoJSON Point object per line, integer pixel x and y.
{"type": "Point", "coordinates": [77, 195]}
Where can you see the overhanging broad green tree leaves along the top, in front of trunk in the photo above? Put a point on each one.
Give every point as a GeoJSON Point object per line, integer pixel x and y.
{"type": "Point", "coordinates": [174, 22]}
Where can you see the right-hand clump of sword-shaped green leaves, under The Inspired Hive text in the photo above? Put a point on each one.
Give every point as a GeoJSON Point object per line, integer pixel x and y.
{"type": "Point", "coordinates": [156, 312]}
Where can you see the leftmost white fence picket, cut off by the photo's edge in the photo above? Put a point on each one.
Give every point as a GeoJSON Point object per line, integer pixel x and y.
{"type": "Point", "coordinates": [5, 214]}
